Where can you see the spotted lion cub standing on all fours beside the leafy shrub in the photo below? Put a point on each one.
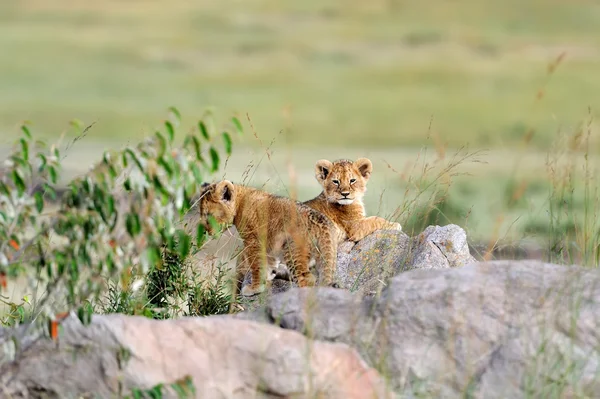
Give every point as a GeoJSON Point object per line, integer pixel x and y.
{"type": "Point", "coordinates": [271, 226]}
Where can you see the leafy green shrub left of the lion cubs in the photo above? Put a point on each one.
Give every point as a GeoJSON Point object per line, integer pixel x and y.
{"type": "Point", "coordinates": [116, 223]}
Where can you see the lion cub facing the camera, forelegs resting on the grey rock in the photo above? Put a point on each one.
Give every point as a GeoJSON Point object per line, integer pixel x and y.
{"type": "Point", "coordinates": [344, 185]}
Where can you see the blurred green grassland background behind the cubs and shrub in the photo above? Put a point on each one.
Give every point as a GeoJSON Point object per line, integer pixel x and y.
{"type": "Point", "coordinates": [396, 81]}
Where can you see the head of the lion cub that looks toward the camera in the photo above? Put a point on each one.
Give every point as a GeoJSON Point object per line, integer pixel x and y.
{"type": "Point", "coordinates": [344, 181]}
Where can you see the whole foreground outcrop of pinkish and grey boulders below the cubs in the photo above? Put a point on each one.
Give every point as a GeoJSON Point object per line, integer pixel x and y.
{"type": "Point", "coordinates": [485, 330]}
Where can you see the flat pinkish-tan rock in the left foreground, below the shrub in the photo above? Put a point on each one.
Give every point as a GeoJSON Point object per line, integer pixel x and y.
{"type": "Point", "coordinates": [225, 357]}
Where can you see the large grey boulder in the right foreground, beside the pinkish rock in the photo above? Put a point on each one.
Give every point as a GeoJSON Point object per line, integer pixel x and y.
{"type": "Point", "coordinates": [496, 330]}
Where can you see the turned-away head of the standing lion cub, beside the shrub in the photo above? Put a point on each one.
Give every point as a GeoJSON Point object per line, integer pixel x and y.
{"type": "Point", "coordinates": [217, 200]}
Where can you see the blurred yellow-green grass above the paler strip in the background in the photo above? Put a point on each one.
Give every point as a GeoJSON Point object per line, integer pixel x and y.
{"type": "Point", "coordinates": [353, 74]}
